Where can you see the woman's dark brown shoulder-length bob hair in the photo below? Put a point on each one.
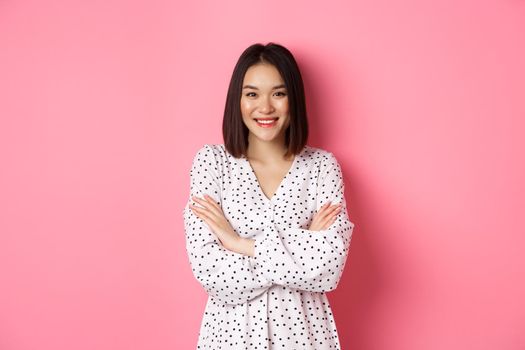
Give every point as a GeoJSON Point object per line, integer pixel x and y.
{"type": "Point", "coordinates": [234, 132]}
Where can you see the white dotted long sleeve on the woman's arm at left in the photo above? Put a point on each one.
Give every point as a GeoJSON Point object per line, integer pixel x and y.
{"type": "Point", "coordinates": [229, 277]}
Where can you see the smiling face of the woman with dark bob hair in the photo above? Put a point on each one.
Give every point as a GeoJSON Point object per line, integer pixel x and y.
{"type": "Point", "coordinates": [264, 103]}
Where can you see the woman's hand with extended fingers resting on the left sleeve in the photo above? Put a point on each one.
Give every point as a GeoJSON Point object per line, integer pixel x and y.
{"type": "Point", "coordinates": [212, 214]}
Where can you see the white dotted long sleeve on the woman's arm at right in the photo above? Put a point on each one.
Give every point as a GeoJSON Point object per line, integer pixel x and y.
{"type": "Point", "coordinates": [304, 259]}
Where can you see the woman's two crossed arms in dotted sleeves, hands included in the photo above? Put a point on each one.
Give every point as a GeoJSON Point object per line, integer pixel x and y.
{"type": "Point", "coordinates": [234, 270]}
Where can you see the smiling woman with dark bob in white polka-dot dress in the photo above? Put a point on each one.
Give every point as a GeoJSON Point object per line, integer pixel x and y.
{"type": "Point", "coordinates": [267, 230]}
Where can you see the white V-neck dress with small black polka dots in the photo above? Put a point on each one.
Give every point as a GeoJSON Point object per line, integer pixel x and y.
{"type": "Point", "coordinates": [275, 299]}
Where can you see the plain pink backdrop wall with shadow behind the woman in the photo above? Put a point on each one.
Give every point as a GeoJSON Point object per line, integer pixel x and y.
{"type": "Point", "coordinates": [103, 105]}
